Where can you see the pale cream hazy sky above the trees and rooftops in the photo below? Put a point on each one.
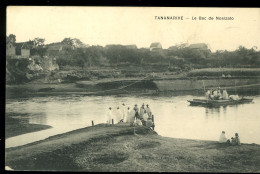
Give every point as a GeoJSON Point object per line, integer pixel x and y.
{"type": "Point", "coordinates": [137, 25]}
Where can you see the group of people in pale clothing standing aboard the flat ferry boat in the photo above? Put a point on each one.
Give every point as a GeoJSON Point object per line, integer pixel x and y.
{"type": "Point", "coordinates": [217, 94]}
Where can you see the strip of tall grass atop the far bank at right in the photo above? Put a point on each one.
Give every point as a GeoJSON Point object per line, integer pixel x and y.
{"type": "Point", "coordinates": [225, 71]}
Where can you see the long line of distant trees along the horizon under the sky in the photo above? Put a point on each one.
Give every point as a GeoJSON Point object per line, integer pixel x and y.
{"type": "Point", "coordinates": [72, 52]}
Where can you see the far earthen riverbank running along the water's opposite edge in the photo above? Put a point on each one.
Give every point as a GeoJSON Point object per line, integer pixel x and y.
{"type": "Point", "coordinates": [137, 85]}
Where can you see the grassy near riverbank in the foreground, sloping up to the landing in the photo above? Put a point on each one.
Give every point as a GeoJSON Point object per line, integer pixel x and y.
{"type": "Point", "coordinates": [118, 148]}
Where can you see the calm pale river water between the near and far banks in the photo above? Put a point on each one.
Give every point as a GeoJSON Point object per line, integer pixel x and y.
{"type": "Point", "coordinates": [174, 117]}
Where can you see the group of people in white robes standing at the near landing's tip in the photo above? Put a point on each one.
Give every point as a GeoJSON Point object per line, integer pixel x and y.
{"type": "Point", "coordinates": [134, 116]}
